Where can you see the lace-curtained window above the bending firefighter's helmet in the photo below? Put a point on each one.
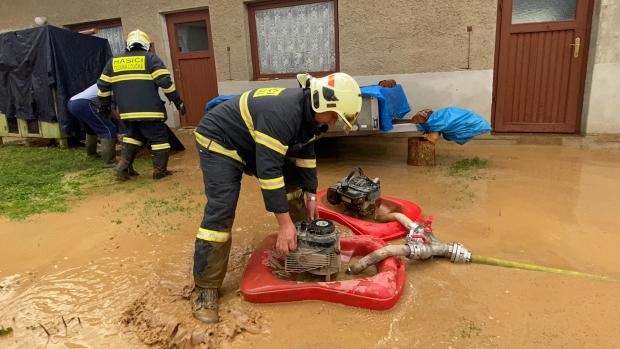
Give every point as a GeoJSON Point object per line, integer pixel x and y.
{"type": "Point", "coordinates": [290, 38]}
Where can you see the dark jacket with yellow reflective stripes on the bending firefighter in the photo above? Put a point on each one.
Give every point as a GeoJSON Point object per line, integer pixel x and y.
{"type": "Point", "coordinates": [263, 128]}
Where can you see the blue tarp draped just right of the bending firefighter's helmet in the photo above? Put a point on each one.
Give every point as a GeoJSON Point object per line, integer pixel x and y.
{"type": "Point", "coordinates": [392, 103]}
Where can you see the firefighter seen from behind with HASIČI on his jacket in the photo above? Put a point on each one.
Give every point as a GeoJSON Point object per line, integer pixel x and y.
{"type": "Point", "coordinates": [133, 78]}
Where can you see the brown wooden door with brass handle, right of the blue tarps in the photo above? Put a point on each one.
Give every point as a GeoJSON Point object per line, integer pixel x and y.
{"type": "Point", "coordinates": [540, 64]}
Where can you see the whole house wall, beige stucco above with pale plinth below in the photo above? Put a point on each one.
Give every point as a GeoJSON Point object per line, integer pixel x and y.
{"type": "Point", "coordinates": [420, 43]}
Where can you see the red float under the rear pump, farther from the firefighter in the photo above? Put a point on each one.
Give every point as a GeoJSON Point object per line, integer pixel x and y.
{"type": "Point", "coordinates": [385, 231]}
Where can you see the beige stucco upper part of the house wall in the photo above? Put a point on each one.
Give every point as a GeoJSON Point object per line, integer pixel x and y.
{"type": "Point", "coordinates": [376, 37]}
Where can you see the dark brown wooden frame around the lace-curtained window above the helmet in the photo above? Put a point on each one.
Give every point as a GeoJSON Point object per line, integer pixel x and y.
{"type": "Point", "coordinates": [272, 4]}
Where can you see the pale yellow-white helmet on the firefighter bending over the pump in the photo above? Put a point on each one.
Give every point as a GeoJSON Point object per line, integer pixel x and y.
{"type": "Point", "coordinates": [337, 92]}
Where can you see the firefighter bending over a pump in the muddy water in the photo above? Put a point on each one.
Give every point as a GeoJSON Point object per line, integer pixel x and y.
{"type": "Point", "coordinates": [268, 133]}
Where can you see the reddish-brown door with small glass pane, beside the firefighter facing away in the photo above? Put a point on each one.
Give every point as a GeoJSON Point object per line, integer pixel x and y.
{"type": "Point", "coordinates": [191, 49]}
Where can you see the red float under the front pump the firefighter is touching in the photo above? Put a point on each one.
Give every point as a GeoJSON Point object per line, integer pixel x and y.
{"type": "Point", "coordinates": [378, 292]}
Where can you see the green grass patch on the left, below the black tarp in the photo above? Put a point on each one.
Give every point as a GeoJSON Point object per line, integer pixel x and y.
{"type": "Point", "coordinates": [41, 179]}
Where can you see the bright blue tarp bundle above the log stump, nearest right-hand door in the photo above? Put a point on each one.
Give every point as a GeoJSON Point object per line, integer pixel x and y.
{"type": "Point", "coordinates": [456, 125]}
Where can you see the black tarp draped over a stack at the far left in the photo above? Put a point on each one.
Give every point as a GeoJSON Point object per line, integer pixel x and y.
{"type": "Point", "coordinates": [35, 61]}
